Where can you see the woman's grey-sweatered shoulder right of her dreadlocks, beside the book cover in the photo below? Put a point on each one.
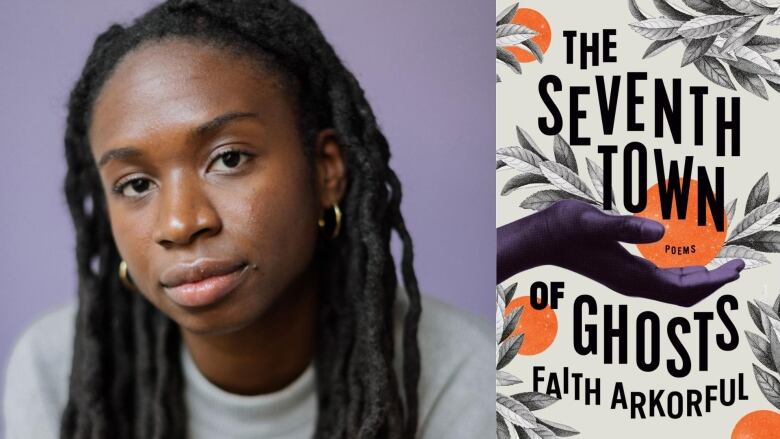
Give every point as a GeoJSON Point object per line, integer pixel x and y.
{"type": "Point", "coordinates": [457, 356]}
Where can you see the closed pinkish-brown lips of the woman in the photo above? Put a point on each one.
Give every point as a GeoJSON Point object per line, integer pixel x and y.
{"type": "Point", "coordinates": [207, 290]}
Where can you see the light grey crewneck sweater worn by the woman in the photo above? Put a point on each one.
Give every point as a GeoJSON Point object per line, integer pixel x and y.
{"type": "Point", "coordinates": [456, 384]}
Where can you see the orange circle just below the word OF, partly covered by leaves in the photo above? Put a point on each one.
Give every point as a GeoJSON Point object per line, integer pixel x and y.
{"type": "Point", "coordinates": [540, 326]}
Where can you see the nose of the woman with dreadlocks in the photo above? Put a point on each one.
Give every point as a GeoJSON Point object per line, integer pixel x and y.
{"type": "Point", "coordinates": [185, 212]}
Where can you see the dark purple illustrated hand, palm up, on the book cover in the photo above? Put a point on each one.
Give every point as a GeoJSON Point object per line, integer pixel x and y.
{"type": "Point", "coordinates": [579, 237]}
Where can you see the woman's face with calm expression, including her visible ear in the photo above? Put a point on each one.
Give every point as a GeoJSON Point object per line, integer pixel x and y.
{"type": "Point", "coordinates": [212, 202]}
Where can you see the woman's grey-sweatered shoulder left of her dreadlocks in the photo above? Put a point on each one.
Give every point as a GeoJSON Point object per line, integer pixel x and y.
{"type": "Point", "coordinates": [36, 376]}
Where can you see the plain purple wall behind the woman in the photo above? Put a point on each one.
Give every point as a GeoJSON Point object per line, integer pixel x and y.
{"type": "Point", "coordinates": [426, 67]}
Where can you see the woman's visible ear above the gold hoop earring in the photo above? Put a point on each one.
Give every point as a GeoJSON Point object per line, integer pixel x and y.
{"type": "Point", "coordinates": [330, 168]}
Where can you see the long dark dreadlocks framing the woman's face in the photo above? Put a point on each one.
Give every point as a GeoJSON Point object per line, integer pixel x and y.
{"type": "Point", "coordinates": [126, 379]}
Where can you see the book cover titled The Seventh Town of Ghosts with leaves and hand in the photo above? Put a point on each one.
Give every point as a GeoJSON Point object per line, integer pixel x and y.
{"type": "Point", "coordinates": [637, 197]}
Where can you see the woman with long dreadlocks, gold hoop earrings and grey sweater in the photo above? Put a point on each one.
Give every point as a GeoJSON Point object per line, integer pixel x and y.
{"type": "Point", "coordinates": [233, 207]}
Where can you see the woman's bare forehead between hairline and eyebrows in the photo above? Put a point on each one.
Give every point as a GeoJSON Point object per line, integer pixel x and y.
{"type": "Point", "coordinates": [178, 82]}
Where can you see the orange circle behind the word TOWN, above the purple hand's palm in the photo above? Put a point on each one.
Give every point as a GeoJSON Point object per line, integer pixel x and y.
{"type": "Point", "coordinates": [684, 243]}
